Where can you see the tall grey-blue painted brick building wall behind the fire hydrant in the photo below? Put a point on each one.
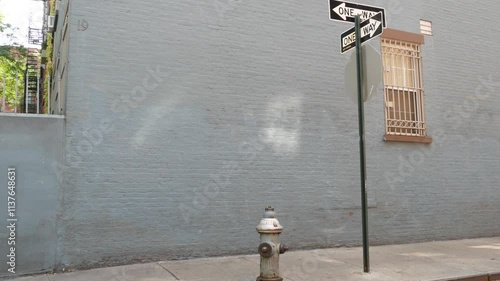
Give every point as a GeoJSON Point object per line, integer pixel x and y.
{"type": "Point", "coordinates": [185, 119]}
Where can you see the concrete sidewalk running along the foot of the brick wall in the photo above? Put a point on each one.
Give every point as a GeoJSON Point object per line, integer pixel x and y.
{"type": "Point", "coordinates": [449, 260]}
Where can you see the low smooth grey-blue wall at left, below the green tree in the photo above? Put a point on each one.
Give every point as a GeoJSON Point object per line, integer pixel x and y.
{"type": "Point", "coordinates": [30, 144]}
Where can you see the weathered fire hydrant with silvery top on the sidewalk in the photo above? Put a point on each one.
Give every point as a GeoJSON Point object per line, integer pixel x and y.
{"type": "Point", "coordinates": [270, 247]}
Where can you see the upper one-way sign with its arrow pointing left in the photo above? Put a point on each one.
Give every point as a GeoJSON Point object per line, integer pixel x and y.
{"type": "Point", "coordinates": [346, 11]}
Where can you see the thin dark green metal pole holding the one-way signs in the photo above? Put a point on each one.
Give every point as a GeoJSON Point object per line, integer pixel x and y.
{"type": "Point", "coordinates": [362, 156]}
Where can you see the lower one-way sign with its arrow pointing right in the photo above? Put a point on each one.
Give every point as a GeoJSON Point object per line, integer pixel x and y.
{"type": "Point", "coordinates": [370, 28]}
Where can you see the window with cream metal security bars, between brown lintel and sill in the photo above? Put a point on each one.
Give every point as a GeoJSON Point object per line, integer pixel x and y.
{"type": "Point", "coordinates": [403, 88]}
